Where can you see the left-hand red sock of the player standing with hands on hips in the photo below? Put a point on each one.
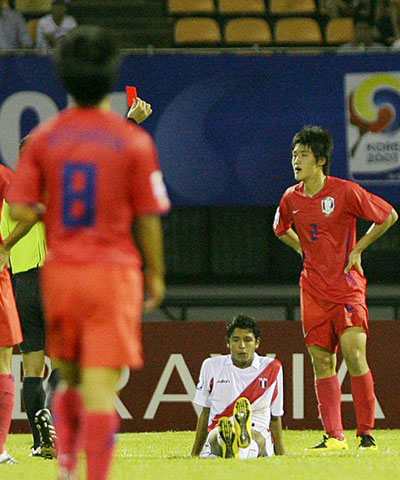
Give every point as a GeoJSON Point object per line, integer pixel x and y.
{"type": "Point", "coordinates": [329, 397]}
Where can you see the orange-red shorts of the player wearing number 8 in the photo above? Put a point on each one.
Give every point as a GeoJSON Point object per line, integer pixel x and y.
{"type": "Point", "coordinates": [93, 314]}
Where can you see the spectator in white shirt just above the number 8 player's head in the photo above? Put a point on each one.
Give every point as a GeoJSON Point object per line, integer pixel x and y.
{"type": "Point", "coordinates": [54, 26]}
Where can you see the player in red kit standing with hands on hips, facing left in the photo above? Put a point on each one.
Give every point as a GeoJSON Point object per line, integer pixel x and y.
{"type": "Point", "coordinates": [323, 211]}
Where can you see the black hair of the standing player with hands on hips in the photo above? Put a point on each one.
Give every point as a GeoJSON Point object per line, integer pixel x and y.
{"type": "Point", "coordinates": [319, 140]}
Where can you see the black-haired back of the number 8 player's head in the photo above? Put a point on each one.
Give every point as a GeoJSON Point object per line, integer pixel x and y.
{"type": "Point", "coordinates": [87, 62]}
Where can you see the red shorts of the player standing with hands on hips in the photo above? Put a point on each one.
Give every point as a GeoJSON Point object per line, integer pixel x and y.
{"type": "Point", "coordinates": [324, 322]}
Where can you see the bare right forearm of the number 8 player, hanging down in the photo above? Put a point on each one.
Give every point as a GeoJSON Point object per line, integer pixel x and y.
{"type": "Point", "coordinates": [148, 236]}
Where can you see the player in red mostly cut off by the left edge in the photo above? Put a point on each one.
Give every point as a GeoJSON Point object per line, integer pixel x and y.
{"type": "Point", "coordinates": [10, 335]}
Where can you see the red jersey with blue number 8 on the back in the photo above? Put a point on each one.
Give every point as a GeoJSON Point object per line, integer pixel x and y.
{"type": "Point", "coordinates": [94, 173]}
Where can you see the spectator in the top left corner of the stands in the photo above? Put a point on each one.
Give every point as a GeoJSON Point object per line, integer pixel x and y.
{"type": "Point", "coordinates": [13, 30]}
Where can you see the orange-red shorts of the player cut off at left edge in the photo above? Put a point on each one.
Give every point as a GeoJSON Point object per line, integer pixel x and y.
{"type": "Point", "coordinates": [10, 327]}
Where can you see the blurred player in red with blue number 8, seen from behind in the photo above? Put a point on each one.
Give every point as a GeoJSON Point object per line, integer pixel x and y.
{"type": "Point", "coordinates": [92, 175]}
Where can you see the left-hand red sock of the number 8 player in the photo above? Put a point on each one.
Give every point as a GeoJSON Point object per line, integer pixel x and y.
{"type": "Point", "coordinates": [68, 418]}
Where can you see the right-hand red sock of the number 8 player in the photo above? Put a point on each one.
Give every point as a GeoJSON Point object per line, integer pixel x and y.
{"type": "Point", "coordinates": [100, 441]}
